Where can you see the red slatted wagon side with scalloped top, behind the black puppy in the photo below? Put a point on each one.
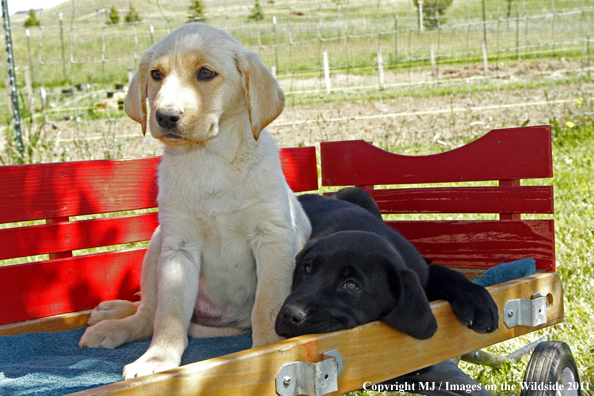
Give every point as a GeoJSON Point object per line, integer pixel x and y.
{"type": "Point", "coordinates": [505, 155]}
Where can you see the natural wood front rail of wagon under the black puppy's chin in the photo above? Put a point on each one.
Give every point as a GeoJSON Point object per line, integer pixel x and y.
{"type": "Point", "coordinates": [371, 353]}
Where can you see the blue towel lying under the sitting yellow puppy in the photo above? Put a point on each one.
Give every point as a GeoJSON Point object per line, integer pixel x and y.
{"type": "Point", "coordinates": [53, 364]}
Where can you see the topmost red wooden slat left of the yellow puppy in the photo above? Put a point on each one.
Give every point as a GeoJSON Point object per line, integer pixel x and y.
{"type": "Point", "coordinates": [42, 191]}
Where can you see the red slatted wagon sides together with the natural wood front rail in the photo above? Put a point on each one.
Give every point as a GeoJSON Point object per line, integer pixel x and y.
{"type": "Point", "coordinates": [56, 290]}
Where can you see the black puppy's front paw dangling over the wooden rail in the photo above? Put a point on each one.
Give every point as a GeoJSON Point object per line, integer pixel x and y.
{"type": "Point", "coordinates": [476, 309]}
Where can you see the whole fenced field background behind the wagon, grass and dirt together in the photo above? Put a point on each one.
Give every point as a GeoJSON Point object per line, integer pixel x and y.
{"type": "Point", "coordinates": [380, 70]}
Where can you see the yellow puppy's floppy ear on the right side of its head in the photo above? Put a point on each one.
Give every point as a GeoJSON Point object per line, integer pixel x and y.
{"type": "Point", "coordinates": [264, 97]}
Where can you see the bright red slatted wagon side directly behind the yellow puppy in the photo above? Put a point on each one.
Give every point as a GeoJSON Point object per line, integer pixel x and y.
{"type": "Point", "coordinates": [58, 192]}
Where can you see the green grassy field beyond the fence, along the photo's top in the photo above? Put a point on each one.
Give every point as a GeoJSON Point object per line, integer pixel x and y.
{"type": "Point", "coordinates": [294, 44]}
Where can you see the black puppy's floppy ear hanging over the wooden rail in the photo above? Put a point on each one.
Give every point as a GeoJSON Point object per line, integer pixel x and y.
{"type": "Point", "coordinates": [412, 314]}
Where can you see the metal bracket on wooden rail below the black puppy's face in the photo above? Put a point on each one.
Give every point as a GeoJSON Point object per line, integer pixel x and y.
{"type": "Point", "coordinates": [313, 379]}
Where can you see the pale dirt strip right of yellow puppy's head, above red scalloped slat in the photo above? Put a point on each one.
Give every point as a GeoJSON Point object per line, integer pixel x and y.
{"type": "Point", "coordinates": [397, 122]}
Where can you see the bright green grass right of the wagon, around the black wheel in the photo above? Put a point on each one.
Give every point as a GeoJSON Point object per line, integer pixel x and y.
{"type": "Point", "coordinates": [573, 161]}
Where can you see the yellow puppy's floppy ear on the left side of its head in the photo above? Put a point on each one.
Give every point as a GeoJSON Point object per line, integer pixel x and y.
{"type": "Point", "coordinates": [135, 102]}
